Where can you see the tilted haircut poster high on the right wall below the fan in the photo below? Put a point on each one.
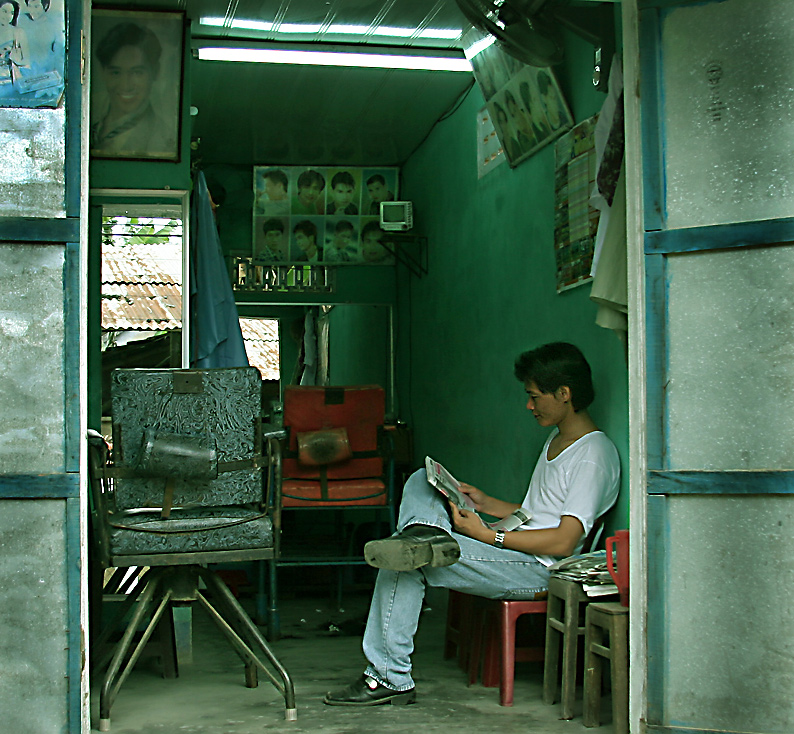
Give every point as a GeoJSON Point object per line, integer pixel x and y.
{"type": "Point", "coordinates": [525, 102]}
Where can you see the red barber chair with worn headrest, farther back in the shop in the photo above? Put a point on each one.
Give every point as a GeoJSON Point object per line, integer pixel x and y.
{"type": "Point", "coordinates": [335, 460]}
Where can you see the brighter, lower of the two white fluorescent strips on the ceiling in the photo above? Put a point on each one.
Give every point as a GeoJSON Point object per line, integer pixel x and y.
{"type": "Point", "coordinates": [328, 58]}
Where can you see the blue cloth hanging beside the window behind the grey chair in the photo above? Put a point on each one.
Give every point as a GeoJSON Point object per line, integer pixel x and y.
{"type": "Point", "coordinates": [216, 338]}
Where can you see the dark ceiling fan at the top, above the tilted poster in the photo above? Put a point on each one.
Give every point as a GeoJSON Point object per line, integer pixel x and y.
{"type": "Point", "coordinates": [530, 30]}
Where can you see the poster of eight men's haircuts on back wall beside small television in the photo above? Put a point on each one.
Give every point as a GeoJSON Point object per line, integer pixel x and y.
{"type": "Point", "coordinates": [328, 216]}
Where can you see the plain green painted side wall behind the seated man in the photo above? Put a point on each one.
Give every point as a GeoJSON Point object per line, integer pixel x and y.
{"type": "Point", "coordinates": [489, 295]}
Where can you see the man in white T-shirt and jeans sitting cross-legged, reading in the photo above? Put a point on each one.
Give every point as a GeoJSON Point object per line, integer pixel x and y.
{"type": "Point", "coordinates": [574, 482]}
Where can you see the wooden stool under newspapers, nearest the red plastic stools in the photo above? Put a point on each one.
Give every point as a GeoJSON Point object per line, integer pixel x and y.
{"type": "Point", "coordinates": [563, 621]}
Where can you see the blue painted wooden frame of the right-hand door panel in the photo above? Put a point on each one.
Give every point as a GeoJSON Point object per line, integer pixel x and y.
{"type": "Point", "coordinates": [661, 242]}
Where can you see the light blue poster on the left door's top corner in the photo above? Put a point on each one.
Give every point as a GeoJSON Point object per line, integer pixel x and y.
{"type": "Point", "coordinates": [32, 52]}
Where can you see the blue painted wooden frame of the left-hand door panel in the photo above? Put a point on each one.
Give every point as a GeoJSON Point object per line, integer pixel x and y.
{"type": "Point", "coordinates": [63, 486]}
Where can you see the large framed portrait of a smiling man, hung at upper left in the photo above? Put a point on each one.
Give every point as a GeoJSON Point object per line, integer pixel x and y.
{"type": "Point", "coordinates": [137, 77]}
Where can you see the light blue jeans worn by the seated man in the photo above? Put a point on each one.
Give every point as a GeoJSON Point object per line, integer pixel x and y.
{"type": "Point", "coordinates": [483, 570]}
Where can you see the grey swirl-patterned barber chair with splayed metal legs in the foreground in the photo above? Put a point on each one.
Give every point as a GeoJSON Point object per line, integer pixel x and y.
{"type": "Point", "coordinates": [183, 488]}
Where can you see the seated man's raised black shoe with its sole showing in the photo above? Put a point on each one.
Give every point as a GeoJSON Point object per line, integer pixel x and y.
{"type": "Point", "coordinates": [411, 548]}
